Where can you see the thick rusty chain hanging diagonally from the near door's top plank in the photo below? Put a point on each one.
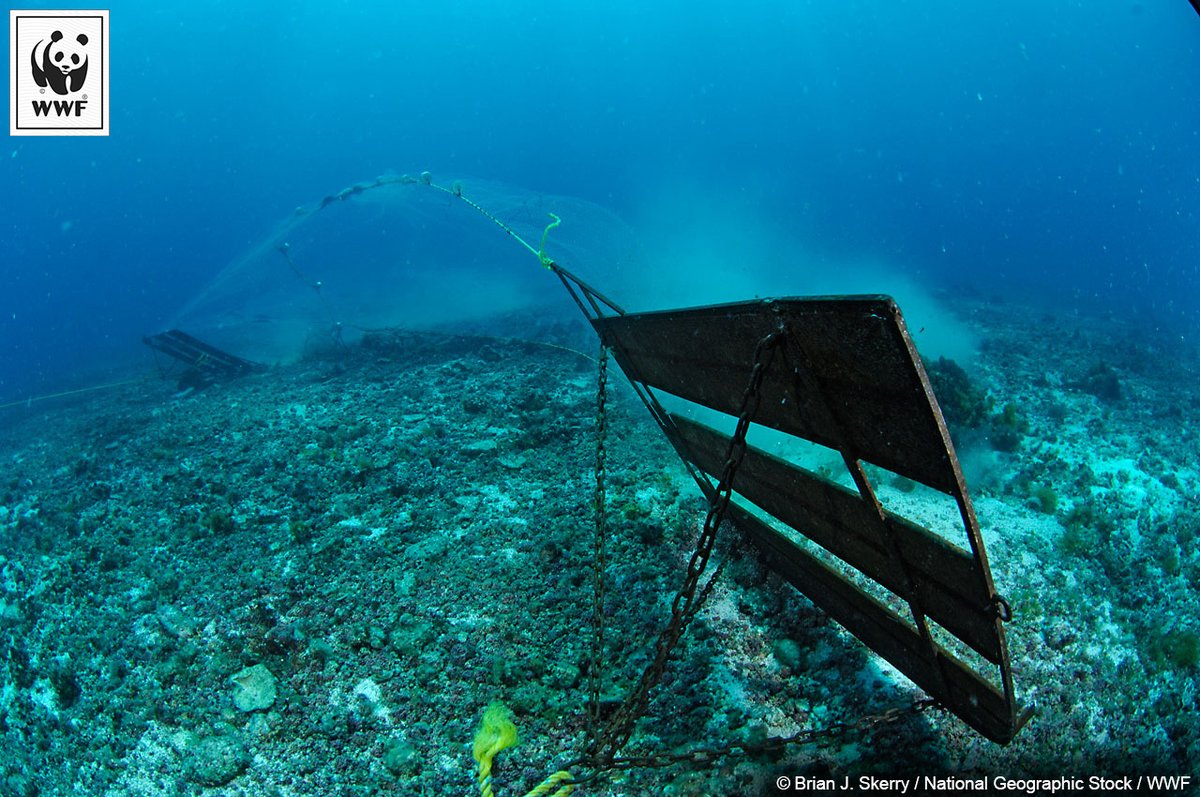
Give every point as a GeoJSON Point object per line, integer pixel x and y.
{"type": "Point", "coordinates": [603, 751]}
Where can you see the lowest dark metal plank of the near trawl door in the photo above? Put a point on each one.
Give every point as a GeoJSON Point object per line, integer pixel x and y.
{"type": "Point", "coordinates": [938, 673]}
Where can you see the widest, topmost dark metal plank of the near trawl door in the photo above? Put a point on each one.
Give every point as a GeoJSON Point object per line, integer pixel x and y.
{"type": "Point", "coordinates": [847, 376]}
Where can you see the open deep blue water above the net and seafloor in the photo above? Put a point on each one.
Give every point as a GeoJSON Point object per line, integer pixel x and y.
{"type": "Point", "coordinates": [1034, 148]}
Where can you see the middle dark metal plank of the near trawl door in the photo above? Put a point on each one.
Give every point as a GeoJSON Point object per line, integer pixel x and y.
{"type": "Point", "coordinates": [949, 582]}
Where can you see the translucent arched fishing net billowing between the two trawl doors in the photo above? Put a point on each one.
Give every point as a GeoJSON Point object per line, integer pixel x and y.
{"type": "Point", "coordinates": [412, 254]}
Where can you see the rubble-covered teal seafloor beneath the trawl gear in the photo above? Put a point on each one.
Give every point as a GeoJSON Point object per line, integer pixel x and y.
{"type": "Point", "coordinates": [313, 582]}
